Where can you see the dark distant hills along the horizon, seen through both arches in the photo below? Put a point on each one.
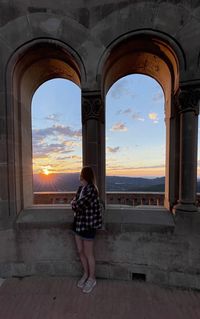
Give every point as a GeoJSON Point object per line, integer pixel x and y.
{"type": "Point", "coordinates": [70, 182]}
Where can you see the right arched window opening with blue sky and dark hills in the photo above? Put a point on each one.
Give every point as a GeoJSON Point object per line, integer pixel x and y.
{"type": "Point", "coordinates": [135, 135]}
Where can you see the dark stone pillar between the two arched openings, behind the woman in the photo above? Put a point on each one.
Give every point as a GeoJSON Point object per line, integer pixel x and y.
{"type": "Point", "coordinates": [93, 123]}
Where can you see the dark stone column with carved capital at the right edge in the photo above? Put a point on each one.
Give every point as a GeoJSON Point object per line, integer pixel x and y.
{"type": "Point", "coordinates": [189, 110]}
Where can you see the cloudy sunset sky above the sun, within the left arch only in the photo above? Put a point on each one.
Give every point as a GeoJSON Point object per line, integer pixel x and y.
{"type": "Point", "coordinates": [56, 127]}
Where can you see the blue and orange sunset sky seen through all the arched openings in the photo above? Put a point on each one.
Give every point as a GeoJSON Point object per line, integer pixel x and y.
{"type": "Point", "coordinates": [135, 127]}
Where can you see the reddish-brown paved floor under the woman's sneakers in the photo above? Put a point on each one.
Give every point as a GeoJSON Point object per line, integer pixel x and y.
{"type": "Point", "coordinates": [59, 298]}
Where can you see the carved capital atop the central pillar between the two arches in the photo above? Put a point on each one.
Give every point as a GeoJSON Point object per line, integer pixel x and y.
{"type": "Point", "coordinates": [92, 106]}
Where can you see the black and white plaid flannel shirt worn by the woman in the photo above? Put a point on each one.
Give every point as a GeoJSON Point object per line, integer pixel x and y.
{"type": "Point", "coordinates": [87, 211]}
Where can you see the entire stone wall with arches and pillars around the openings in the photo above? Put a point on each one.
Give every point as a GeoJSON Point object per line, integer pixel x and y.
{"type": "Point", "coordinates": [89, 42]}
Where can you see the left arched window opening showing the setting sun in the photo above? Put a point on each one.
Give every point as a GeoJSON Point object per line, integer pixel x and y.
{"type": "Point", "coordinates": [56, 138]}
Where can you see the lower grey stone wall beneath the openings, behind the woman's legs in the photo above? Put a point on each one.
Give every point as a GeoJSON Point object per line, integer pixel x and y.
{"type": "Point", "coordinates": [151, 245]}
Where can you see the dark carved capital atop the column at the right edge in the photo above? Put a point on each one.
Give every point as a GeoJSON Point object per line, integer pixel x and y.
{"type": "Point", "coordinates": [188, 100]}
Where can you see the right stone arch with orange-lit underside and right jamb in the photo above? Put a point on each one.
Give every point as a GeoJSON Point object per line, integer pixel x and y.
{"type": "Point", "coordinates": [150, 55]}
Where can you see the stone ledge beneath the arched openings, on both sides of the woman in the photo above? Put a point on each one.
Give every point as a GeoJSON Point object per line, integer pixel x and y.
{"type": "Point", "coordinates": [116, 218]}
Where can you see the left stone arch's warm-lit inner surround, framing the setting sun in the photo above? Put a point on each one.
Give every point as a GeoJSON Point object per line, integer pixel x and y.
{"type": "Point", "coordinates": [29, 67]}
